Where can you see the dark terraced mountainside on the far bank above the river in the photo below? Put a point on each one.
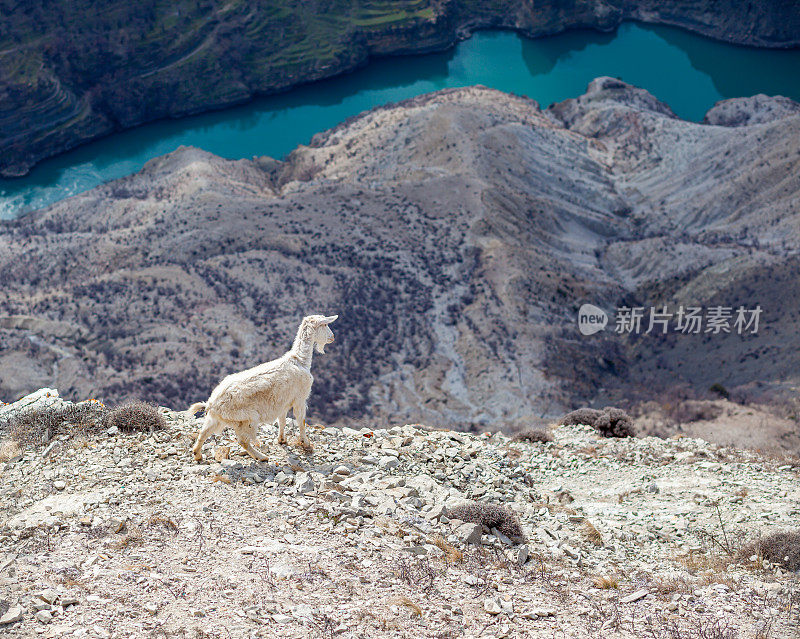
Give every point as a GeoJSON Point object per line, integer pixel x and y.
{"type": "Point", "coordinates": [74, 71]}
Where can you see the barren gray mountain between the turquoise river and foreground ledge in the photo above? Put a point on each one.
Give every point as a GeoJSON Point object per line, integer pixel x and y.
{"type": "Point", "coordinates": [455, 234]}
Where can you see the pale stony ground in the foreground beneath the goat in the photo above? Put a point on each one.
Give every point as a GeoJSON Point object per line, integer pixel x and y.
{"type": "Point", "coordinates": [123, 534]}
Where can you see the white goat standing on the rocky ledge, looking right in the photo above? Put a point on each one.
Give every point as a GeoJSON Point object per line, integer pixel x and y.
{"type": "Point", "coordinates": [266, 392]}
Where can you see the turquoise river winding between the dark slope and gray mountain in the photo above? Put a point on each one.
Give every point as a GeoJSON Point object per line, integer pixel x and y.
{"type": "Point", "coordinates": [688, 72]}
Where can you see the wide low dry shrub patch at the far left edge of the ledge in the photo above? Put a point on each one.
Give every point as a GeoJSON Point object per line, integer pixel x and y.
{"type": "Point", "coordinates": [38, 426]}
